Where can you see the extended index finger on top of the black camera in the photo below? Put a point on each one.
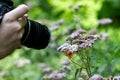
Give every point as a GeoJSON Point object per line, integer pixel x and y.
{"type": "Point", "coordinates": [17, 12]}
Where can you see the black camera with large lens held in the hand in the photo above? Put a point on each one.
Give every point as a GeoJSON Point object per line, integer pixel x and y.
{"type": "Point", "coordinates": [36, 35]}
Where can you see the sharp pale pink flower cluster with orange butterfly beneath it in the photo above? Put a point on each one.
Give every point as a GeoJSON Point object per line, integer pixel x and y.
{"type": "Point", "coordinates": [78, 41]}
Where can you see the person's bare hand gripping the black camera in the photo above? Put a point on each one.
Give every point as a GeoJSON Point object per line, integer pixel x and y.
{"type": "Point", "coordinates": [12, 29]}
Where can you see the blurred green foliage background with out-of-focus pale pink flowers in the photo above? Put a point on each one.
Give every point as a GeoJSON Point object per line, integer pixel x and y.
{"type": "Point", "coordinates": [63, 17]}
